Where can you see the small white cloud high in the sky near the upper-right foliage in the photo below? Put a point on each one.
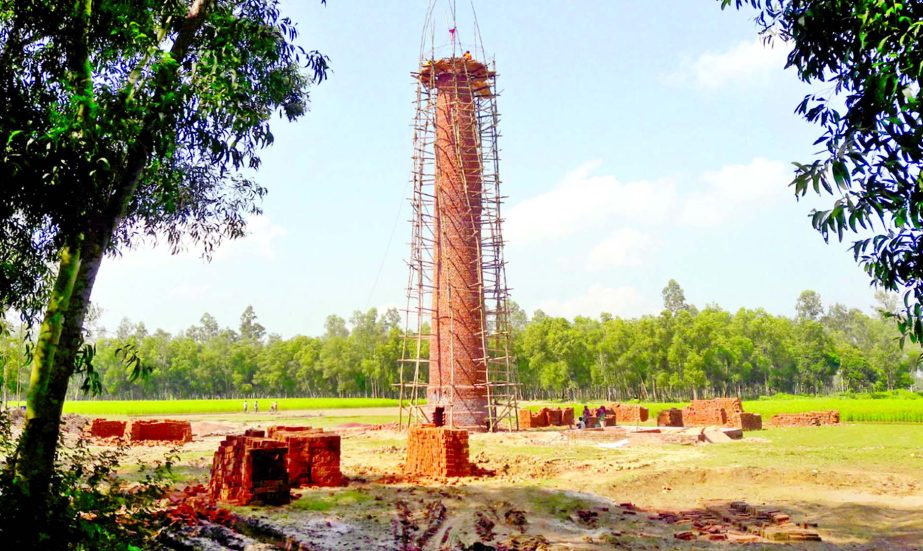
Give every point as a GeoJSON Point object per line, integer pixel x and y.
{"type": "Point", "coordinates": [748, 62]}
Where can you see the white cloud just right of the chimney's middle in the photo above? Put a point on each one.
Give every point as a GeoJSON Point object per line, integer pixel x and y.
{"type": "Point", "coordinates": [582, 201]}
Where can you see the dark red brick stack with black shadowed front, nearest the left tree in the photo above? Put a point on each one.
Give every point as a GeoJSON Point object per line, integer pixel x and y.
{"type": "Point", "coordinates": [250, 468]}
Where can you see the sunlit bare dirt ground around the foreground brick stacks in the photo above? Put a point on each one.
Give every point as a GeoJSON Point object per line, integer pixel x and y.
{"type": "Point", "coordinates": [861, 485]}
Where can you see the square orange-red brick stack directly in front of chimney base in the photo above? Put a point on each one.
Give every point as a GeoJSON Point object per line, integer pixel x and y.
{"type": "Point", "coordinates": [437, 451]}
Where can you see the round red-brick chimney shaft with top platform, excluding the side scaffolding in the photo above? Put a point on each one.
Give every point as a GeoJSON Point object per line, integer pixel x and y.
{"type": "Point", "coordinates": [457, 365]}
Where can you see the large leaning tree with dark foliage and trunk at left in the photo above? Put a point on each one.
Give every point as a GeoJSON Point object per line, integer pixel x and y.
{"type": "Point", "coordinates": [122, 119]}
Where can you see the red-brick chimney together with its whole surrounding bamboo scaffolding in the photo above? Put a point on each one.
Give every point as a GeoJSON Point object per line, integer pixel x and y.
{"type": "Point", "coordinates": [456, 362]}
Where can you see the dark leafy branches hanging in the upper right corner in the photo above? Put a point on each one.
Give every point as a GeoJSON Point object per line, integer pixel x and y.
{"type": "Point", "coordinates": [871, 51]}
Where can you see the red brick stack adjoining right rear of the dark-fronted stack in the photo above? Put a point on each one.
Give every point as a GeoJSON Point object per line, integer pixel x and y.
{"type": "Point", "coordinates": [313, 457]}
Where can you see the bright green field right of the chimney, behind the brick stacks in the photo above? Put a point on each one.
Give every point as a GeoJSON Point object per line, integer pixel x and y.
{"type": "Point", "coordinates": [897, 408]}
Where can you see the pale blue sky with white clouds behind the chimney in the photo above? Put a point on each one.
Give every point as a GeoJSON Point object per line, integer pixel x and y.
{"type": "Point", "coordinates": [641, 141]}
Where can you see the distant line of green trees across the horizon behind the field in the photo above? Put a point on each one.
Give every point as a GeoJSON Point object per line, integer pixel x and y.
{"type": "Point", "coordinates": [681, 353]}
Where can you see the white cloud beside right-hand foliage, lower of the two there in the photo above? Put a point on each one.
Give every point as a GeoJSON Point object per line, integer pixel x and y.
{"type": "Point", "coordinates": [733, 189]}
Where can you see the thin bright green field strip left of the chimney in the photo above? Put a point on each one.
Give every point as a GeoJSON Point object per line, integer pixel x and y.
{"type": "Point", "coordinates": [180, 407]}
